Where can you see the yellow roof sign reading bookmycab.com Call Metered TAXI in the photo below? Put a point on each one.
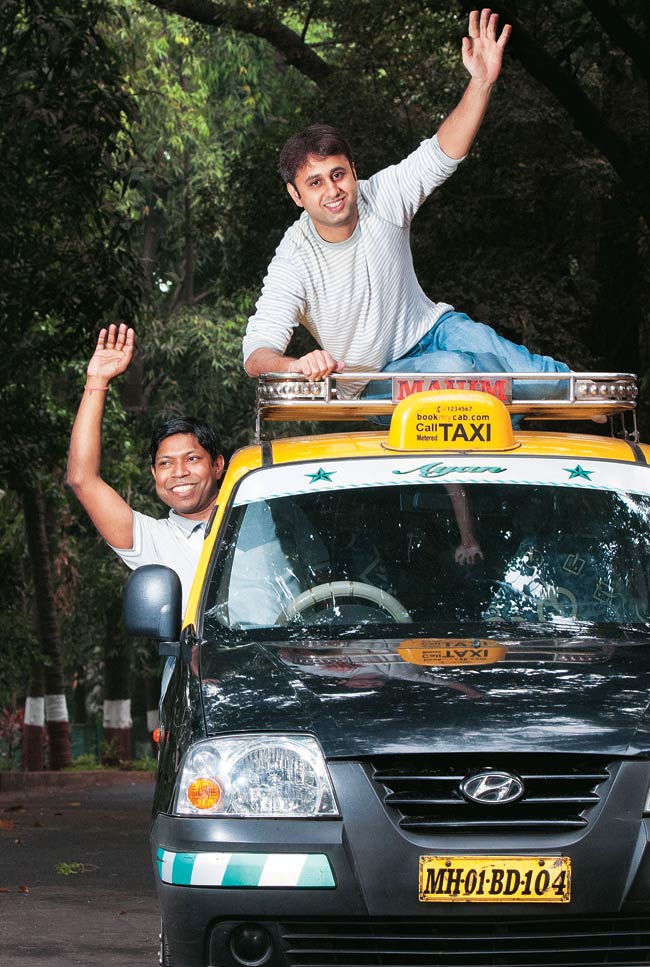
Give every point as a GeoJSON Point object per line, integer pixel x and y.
{"type": "Point", "coordinates": [451, 420]}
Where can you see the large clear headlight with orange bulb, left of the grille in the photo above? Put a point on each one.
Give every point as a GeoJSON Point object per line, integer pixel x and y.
{"type": "Point", "coordinates": [256, 775]}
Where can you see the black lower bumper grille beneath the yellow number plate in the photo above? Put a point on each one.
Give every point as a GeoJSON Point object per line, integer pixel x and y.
{"type": "Point", "coordinates": [469, 943]}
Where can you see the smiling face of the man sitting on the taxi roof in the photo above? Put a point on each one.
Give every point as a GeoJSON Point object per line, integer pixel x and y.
{"type": "Point", "coordinates": [327, 189]}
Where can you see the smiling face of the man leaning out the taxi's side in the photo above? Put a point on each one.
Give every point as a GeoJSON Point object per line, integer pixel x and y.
{"type": "Point", "coordinates": [186, 476]}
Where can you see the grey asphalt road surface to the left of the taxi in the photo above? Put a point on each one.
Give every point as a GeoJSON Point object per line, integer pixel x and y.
{"type": "Point", "coordinates": [106, 912]}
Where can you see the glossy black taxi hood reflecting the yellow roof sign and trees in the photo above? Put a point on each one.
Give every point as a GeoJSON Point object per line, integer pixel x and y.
{"type": "Point", "coordinates": [433, 695]}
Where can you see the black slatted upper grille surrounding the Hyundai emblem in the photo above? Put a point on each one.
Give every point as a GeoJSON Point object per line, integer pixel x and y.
{"type": "Point", "coordinates": [422, 793]}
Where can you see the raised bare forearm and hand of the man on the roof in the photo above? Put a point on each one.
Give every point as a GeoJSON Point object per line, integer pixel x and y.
{"type": "Point", "coordinates": [482, 56]}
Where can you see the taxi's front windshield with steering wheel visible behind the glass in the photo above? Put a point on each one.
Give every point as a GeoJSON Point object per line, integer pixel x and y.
{"type": "Point", "coordinates": [438, 558]}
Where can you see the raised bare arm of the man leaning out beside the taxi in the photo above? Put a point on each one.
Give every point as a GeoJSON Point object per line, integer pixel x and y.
{"type": "Point", "coordinates": [109, 512]}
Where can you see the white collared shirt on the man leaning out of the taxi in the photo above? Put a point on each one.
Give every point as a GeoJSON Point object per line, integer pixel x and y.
{"type": "Point", "coordinates": [175, 541]}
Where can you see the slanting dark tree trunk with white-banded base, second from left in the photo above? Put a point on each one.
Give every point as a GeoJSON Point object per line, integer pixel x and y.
{"type": "Point", "coordinates": [56, 710]}
